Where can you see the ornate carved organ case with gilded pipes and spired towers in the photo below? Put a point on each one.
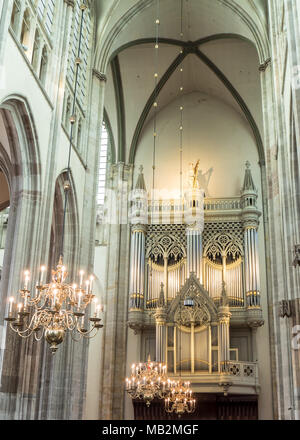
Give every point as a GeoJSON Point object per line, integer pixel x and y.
{"type": "Point", "coordinates": [195, 292]}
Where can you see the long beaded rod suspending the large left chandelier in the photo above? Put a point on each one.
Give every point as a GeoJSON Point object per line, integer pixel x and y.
{"type": "Point", "coordinates": [78, 60]}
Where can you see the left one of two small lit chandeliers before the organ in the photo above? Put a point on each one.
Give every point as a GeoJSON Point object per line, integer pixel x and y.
{"type": "Point", "coordinates": [148, 381]}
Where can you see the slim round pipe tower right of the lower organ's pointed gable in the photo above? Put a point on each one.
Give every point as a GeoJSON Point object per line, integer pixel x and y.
{"type": "Point", "coordinates": [223, 336]}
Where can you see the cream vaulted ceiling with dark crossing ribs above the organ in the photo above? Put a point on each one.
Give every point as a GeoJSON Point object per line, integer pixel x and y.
{"type": "Point", "coordinates": [219, 58]}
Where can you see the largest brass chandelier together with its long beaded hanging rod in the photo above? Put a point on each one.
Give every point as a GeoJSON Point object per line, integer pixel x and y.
{"type": "Point", "coordinates": [57, 307]}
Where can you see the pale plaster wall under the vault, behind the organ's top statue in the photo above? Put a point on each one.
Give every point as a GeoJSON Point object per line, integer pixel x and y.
{"type": "Point", "coordinates": [213, 132]}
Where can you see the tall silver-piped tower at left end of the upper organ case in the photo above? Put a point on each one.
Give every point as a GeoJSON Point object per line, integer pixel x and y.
{"type": "Point", "coordinates": [137, 267]}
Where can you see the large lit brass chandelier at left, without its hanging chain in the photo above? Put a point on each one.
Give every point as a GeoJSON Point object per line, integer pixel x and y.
{"type": "Point", "coordinates": [56, 309]}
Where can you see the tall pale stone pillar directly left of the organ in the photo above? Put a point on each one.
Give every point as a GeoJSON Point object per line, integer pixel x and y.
{"type": "Point", "coordinates": [113, 359]}
